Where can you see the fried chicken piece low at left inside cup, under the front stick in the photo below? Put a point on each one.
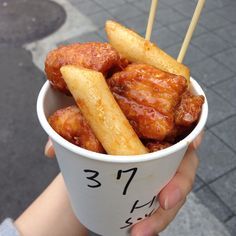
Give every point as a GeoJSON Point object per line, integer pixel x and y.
{"type": "Point", "coordinates": [71, 125]}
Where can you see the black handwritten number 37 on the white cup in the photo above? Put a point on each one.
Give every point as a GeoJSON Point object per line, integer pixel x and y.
{"type": "Point", "coordinates": [95, 183]}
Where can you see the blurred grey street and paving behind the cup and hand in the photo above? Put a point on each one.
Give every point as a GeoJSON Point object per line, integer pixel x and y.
{"type": "Point", "coordinates": [30, 28]}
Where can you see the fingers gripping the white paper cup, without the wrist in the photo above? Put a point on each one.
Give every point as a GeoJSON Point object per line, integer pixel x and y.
{"type": "Point", "coordinates": [172, 196]}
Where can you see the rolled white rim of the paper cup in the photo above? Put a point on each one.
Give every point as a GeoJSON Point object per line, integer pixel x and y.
{"type": "Point", "coordinates": [115, 158]}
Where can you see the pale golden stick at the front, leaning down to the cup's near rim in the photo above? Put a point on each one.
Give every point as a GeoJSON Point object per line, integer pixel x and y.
{"type": "Point", "coordinates": [94, 98]}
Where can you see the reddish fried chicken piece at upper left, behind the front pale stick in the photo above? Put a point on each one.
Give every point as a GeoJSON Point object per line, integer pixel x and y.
{"type": "Point", "coordinates": [93, 55]}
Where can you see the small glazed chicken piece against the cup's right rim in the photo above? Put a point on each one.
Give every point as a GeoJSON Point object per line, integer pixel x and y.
{"type": "Point", "coordinates": [189, 109]}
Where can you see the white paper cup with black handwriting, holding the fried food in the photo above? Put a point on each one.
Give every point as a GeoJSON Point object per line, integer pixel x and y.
{"type": "Point", "coordinates": [110, 193]}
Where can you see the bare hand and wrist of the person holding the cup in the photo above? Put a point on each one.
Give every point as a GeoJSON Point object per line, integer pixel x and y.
{"type": "Point", "coordinates": [51, 213]}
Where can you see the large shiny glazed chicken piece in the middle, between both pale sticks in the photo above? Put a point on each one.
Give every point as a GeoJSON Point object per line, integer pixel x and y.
{"type": "Point", "coordinates": [148, 97]}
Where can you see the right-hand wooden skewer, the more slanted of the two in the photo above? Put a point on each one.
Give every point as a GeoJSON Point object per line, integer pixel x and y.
{"type": "Point", "coordinates": [190, 30]}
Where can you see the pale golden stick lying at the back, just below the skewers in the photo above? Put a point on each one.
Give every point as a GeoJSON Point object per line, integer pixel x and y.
{"type": "Point", "coordinates": [136, 49]}
